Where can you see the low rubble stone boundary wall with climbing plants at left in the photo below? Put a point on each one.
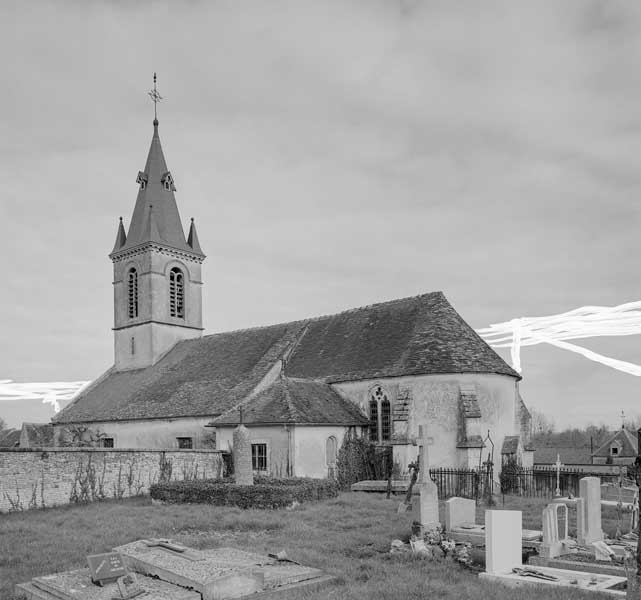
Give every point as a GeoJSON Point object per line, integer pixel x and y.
{"type": "Point", "coordinates": [44, 477]}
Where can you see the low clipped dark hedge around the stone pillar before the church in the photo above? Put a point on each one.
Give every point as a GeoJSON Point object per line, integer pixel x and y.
{"type": "Point", "coordinates": [265, 493]}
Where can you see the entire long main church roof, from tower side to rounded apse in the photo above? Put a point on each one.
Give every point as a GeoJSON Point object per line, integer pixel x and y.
{"type": "Point", "coordinates": [210, 375]}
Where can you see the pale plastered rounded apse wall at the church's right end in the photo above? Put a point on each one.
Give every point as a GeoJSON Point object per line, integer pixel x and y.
{"type": "Point", "coordinates": [435, 402]}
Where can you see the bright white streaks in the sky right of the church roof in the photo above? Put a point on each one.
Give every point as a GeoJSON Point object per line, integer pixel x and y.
{"type": "Point", "coordinates": [584, 322]}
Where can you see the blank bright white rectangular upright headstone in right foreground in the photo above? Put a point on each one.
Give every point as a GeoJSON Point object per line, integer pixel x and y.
{"type": "Point", "coordinates": [503, 545]}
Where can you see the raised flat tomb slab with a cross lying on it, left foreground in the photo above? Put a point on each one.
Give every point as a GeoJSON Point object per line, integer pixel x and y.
{"type": "Point", "coordinates": [229, 575]}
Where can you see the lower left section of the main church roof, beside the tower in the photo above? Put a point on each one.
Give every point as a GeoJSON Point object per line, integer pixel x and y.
{"type": "Point", "coordinates": [201, 377]}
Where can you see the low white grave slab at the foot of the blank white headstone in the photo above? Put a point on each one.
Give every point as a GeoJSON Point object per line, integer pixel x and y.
{"type": "Point", "coordinates": [583, 581]}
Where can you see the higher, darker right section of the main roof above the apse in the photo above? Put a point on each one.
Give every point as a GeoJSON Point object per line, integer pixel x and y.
{"type": "Point", "coordinates": [411, 336]}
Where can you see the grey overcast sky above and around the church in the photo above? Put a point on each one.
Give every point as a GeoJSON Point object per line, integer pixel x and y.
{"type": "Point", "coordinates": [333, 154]}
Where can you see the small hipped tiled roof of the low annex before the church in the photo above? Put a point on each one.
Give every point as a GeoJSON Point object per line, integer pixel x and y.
{"type": "Point", "coordinates": [296, 401]}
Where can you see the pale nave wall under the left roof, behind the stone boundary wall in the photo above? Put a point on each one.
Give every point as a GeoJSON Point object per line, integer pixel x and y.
{"type": "Point", "coordinates": [153, 433]}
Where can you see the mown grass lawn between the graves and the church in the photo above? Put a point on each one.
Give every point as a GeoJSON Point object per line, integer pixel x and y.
{"type": "Point", "coordinates": [348, 536]}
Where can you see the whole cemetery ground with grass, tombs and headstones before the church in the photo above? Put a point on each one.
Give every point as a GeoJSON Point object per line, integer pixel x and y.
{"type": "Point", "coordinates": [327, 542]}
